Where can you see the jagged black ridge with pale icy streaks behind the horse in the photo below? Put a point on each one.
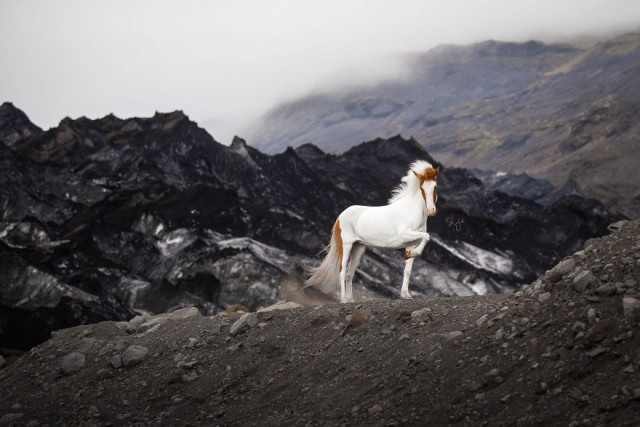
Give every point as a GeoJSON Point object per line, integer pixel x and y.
{"type": "Point", "coordinates": [101, 219]}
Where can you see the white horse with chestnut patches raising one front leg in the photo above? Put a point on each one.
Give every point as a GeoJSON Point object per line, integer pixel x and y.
{"type": "Point", "coordinates": [401, 224]}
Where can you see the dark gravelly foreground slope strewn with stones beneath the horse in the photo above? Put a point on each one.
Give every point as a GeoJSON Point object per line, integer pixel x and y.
{"type": "Point", "coordinates": [561, 351]}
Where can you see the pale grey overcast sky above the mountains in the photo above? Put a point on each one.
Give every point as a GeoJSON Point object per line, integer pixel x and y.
{"type": "Point", "coordinates": [226, 62]}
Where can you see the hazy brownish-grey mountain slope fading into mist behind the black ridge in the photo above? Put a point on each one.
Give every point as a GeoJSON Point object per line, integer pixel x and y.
{"type": "Point", "coordinates": [556, 112]}
